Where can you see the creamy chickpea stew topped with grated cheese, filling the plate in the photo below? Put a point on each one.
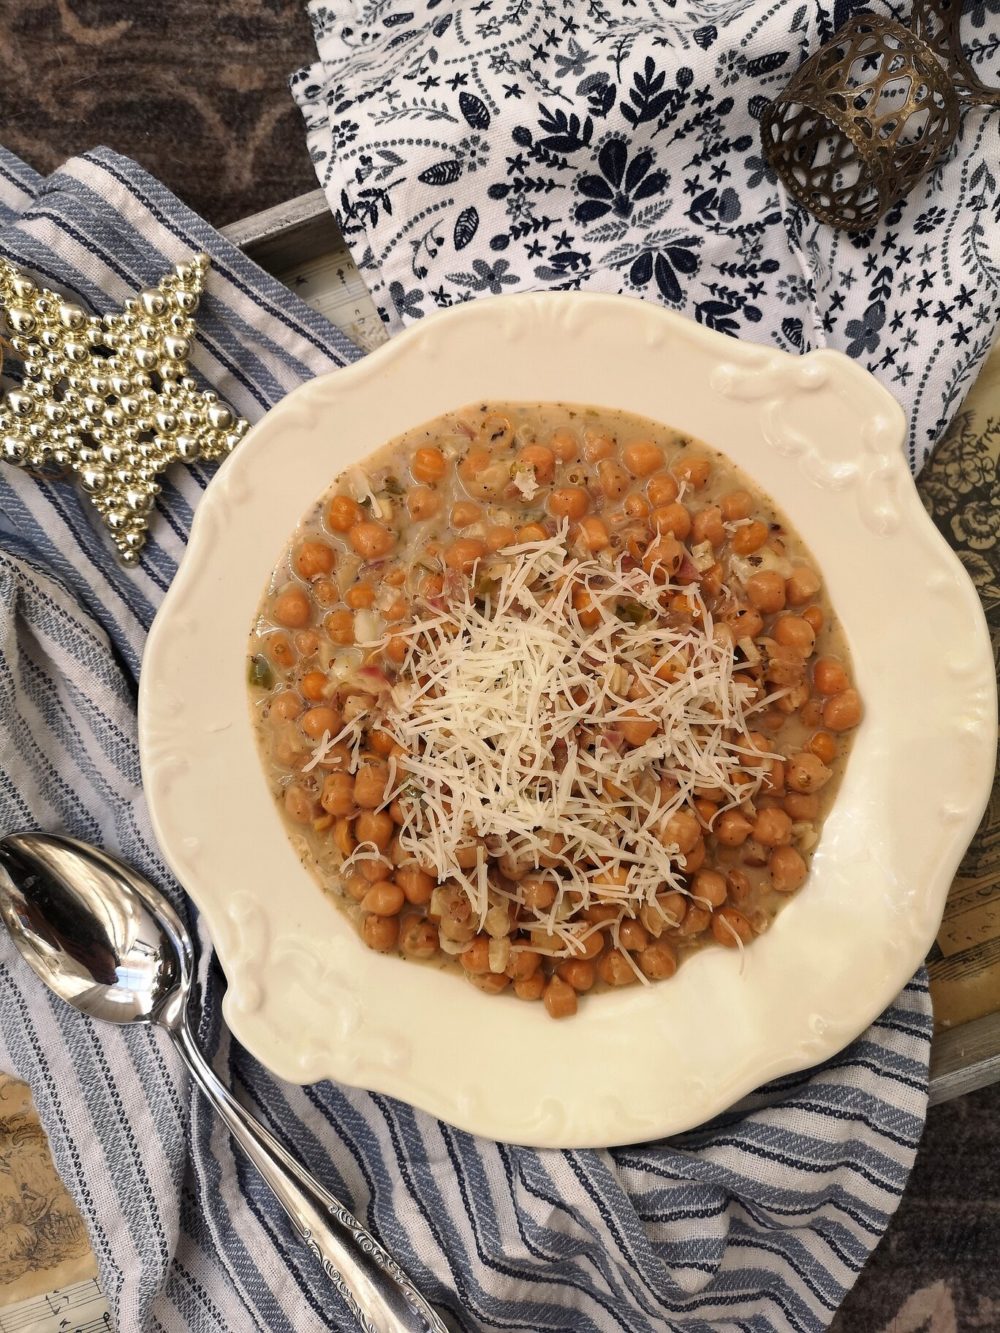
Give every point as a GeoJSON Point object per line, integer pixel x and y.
{"type": "Point", "coordinates": [553, 696]}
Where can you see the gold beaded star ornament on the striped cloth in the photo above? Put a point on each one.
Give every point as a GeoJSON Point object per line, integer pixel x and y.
{"type": "Point", "coordinates": [110, 399]}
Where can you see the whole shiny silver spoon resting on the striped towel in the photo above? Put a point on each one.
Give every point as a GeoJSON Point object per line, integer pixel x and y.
{"type": "Point", "coordinates": [105, 940]}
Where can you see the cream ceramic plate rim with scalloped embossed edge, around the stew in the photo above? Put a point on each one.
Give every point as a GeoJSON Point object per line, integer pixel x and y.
{"type": "Point", "coordinates": [311, 1002]}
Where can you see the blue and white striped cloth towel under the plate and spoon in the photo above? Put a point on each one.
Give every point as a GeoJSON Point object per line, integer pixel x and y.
{"type": "Point", "coordinates": [759, 1222]}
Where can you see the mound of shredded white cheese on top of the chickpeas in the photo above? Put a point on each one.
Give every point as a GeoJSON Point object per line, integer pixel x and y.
{"type": "Point", "coordinates": [510, 710]}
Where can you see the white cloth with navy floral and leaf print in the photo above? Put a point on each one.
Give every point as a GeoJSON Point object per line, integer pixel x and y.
{"type": "Point", "coordinates": [613, 146]}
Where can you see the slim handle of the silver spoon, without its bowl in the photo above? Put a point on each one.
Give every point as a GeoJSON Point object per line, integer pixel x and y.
{"type": "Point", "coordinates": [382, 1298]}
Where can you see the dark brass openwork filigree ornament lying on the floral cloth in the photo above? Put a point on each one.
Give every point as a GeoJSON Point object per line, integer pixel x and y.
{"type": "Point", "coordinates": [871, 113]}
